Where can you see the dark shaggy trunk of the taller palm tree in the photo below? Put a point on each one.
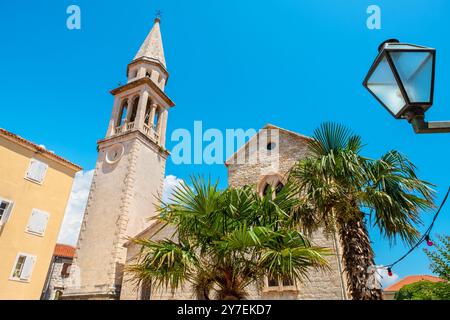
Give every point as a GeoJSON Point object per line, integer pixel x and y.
{"type": "Point", "coordinates": [358, 257]}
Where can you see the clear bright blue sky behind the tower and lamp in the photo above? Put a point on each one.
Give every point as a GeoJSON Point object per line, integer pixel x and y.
{"type": "Point", "coordinates": [232, 64]}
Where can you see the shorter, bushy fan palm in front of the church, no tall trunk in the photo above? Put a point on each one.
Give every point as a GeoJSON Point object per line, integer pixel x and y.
{"type": "Point", "coordinates": [226, 241]}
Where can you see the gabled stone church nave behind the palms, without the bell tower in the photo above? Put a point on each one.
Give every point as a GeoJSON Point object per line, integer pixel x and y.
{"type": "Point", "coordinates": [257, 166]}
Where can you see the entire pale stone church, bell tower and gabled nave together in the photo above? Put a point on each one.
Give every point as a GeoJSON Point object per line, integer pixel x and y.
{"type": "Point", "coordinates": [130, 172]}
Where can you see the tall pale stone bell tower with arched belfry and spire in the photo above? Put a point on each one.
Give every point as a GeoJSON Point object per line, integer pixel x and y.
{"type": "Point", "coordinates": [128, 175]}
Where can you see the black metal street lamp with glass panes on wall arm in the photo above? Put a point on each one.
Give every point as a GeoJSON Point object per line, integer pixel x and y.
{"type": "Point", "coordinates": [402, 80]}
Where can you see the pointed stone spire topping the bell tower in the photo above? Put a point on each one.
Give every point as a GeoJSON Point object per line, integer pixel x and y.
{"type": "Point", "coordinates": [152, 48]}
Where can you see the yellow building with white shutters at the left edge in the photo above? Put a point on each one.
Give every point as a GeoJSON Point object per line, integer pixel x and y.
{"type": "Point", "coordinates": [35, 185]}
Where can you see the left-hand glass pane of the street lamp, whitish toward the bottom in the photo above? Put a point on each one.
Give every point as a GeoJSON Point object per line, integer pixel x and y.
{"type": "Point", "coordinates": [383, 85]}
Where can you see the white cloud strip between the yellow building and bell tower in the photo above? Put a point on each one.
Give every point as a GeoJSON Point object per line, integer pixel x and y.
{"type": "Point", "coordinates": [75, 208]}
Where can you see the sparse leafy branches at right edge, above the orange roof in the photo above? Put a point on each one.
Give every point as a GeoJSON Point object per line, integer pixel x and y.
{"type": "Point", "coordinates": [440, 258]}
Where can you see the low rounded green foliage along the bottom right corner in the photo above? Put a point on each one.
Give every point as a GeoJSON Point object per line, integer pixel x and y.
{"type": "Point", "coordinates": [424, 290]}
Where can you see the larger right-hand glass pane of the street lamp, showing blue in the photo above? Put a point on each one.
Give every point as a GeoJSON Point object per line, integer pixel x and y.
{"type": "Point", "coordinates": [415, 71]}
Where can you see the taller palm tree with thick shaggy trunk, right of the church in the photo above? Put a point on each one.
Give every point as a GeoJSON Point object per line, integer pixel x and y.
{"type": "Point", "coordinates": [344, 191]}
